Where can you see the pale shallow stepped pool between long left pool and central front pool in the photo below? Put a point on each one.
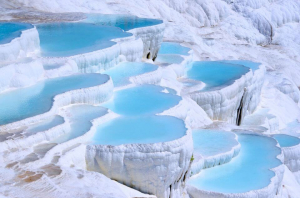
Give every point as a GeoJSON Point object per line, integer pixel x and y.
{"type": "Point", "coordinates": [80, 120]}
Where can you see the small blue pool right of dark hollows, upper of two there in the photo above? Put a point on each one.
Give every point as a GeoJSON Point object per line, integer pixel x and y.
{"type": "Point", "coordinates": [173, 48]}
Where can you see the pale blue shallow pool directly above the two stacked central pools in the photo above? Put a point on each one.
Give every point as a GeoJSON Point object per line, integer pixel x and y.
{"type": "Point", "coordinates": [120, 74]}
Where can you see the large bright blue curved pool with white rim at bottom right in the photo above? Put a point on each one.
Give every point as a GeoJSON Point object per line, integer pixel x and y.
{"type": "Point", "coordinates": [228, 180]}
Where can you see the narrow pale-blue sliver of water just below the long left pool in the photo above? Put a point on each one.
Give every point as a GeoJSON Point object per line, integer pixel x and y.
{"type": "Point", "coordinates": [45, 125]}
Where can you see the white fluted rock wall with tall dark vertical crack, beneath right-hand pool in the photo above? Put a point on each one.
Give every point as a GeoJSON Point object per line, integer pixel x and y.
{"type": "Point", "coordinates": [234, 101]}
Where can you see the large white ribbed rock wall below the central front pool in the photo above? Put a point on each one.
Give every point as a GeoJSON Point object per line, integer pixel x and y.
{"type": "Point", "coordinates": [159, 168]}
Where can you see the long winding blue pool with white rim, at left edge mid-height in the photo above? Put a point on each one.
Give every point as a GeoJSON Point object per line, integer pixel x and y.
{"type": "Point", "coordinates": [90, 93]}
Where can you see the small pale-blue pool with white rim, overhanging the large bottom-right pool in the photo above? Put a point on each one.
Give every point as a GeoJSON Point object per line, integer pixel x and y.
{"type": "Point", "coordinates": [213, 148]}
